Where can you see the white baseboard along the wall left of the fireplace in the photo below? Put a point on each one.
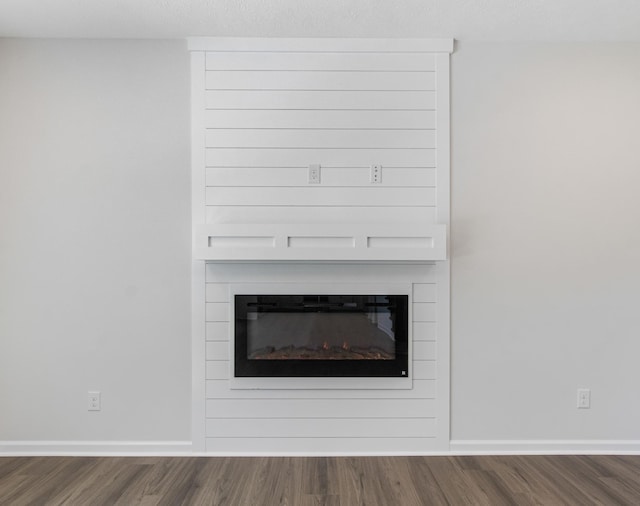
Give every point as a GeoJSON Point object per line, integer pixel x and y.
{"type": "Point", "coordinates": [95, 448]}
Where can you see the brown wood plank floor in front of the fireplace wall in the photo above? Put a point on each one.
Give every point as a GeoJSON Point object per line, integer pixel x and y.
{"type": "Point", "coordinates": [345, 481]}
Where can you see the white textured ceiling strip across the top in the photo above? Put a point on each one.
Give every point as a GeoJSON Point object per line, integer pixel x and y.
{"type": "Point", "coordinates": [478, 20]}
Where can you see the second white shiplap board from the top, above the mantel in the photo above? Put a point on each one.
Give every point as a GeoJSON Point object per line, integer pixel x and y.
{"type": "Point", "coordinates": [318, 80]}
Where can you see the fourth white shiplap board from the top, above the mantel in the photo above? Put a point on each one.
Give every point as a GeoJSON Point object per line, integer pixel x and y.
{"type": "Point", "coordinates": [365, 119]}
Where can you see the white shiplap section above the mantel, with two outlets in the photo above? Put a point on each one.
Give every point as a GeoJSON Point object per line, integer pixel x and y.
{"type": "Point", "coordinates": [272, 110]}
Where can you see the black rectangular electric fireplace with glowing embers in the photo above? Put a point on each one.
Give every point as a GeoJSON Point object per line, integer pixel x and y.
{"type": "Point", "coordinates": [321, 336]}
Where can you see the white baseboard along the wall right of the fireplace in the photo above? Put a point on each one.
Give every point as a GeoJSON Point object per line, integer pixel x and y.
{"type": "Point", "coordinates": [545, 447]}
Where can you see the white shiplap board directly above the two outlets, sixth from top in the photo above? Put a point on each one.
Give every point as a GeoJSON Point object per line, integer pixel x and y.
{"type": "Point", "coordinates": [301, 157]}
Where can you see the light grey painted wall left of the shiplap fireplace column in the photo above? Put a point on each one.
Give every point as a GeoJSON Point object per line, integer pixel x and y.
{"type": "Point", "coordinates": [95, 240]}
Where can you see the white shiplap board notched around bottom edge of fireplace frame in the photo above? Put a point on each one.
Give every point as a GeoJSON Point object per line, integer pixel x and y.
{"type": "Point", "coordinates": [422, 389]}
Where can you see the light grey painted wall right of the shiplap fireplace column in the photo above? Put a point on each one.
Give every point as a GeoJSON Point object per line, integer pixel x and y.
{"type": "Point", "coordinates": [546, 240]}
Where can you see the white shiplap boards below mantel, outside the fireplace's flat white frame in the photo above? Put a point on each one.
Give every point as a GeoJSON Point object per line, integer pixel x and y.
{"type": "Point", "coordinates": [322, 420]}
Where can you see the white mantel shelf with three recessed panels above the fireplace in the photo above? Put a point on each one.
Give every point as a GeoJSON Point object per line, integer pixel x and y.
{"type": "Point", "coordinates": [328, 243]}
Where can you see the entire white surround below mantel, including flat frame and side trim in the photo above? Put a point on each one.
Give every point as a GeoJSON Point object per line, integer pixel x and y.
{"type": "Point", "coordinates": [283, 418]}
